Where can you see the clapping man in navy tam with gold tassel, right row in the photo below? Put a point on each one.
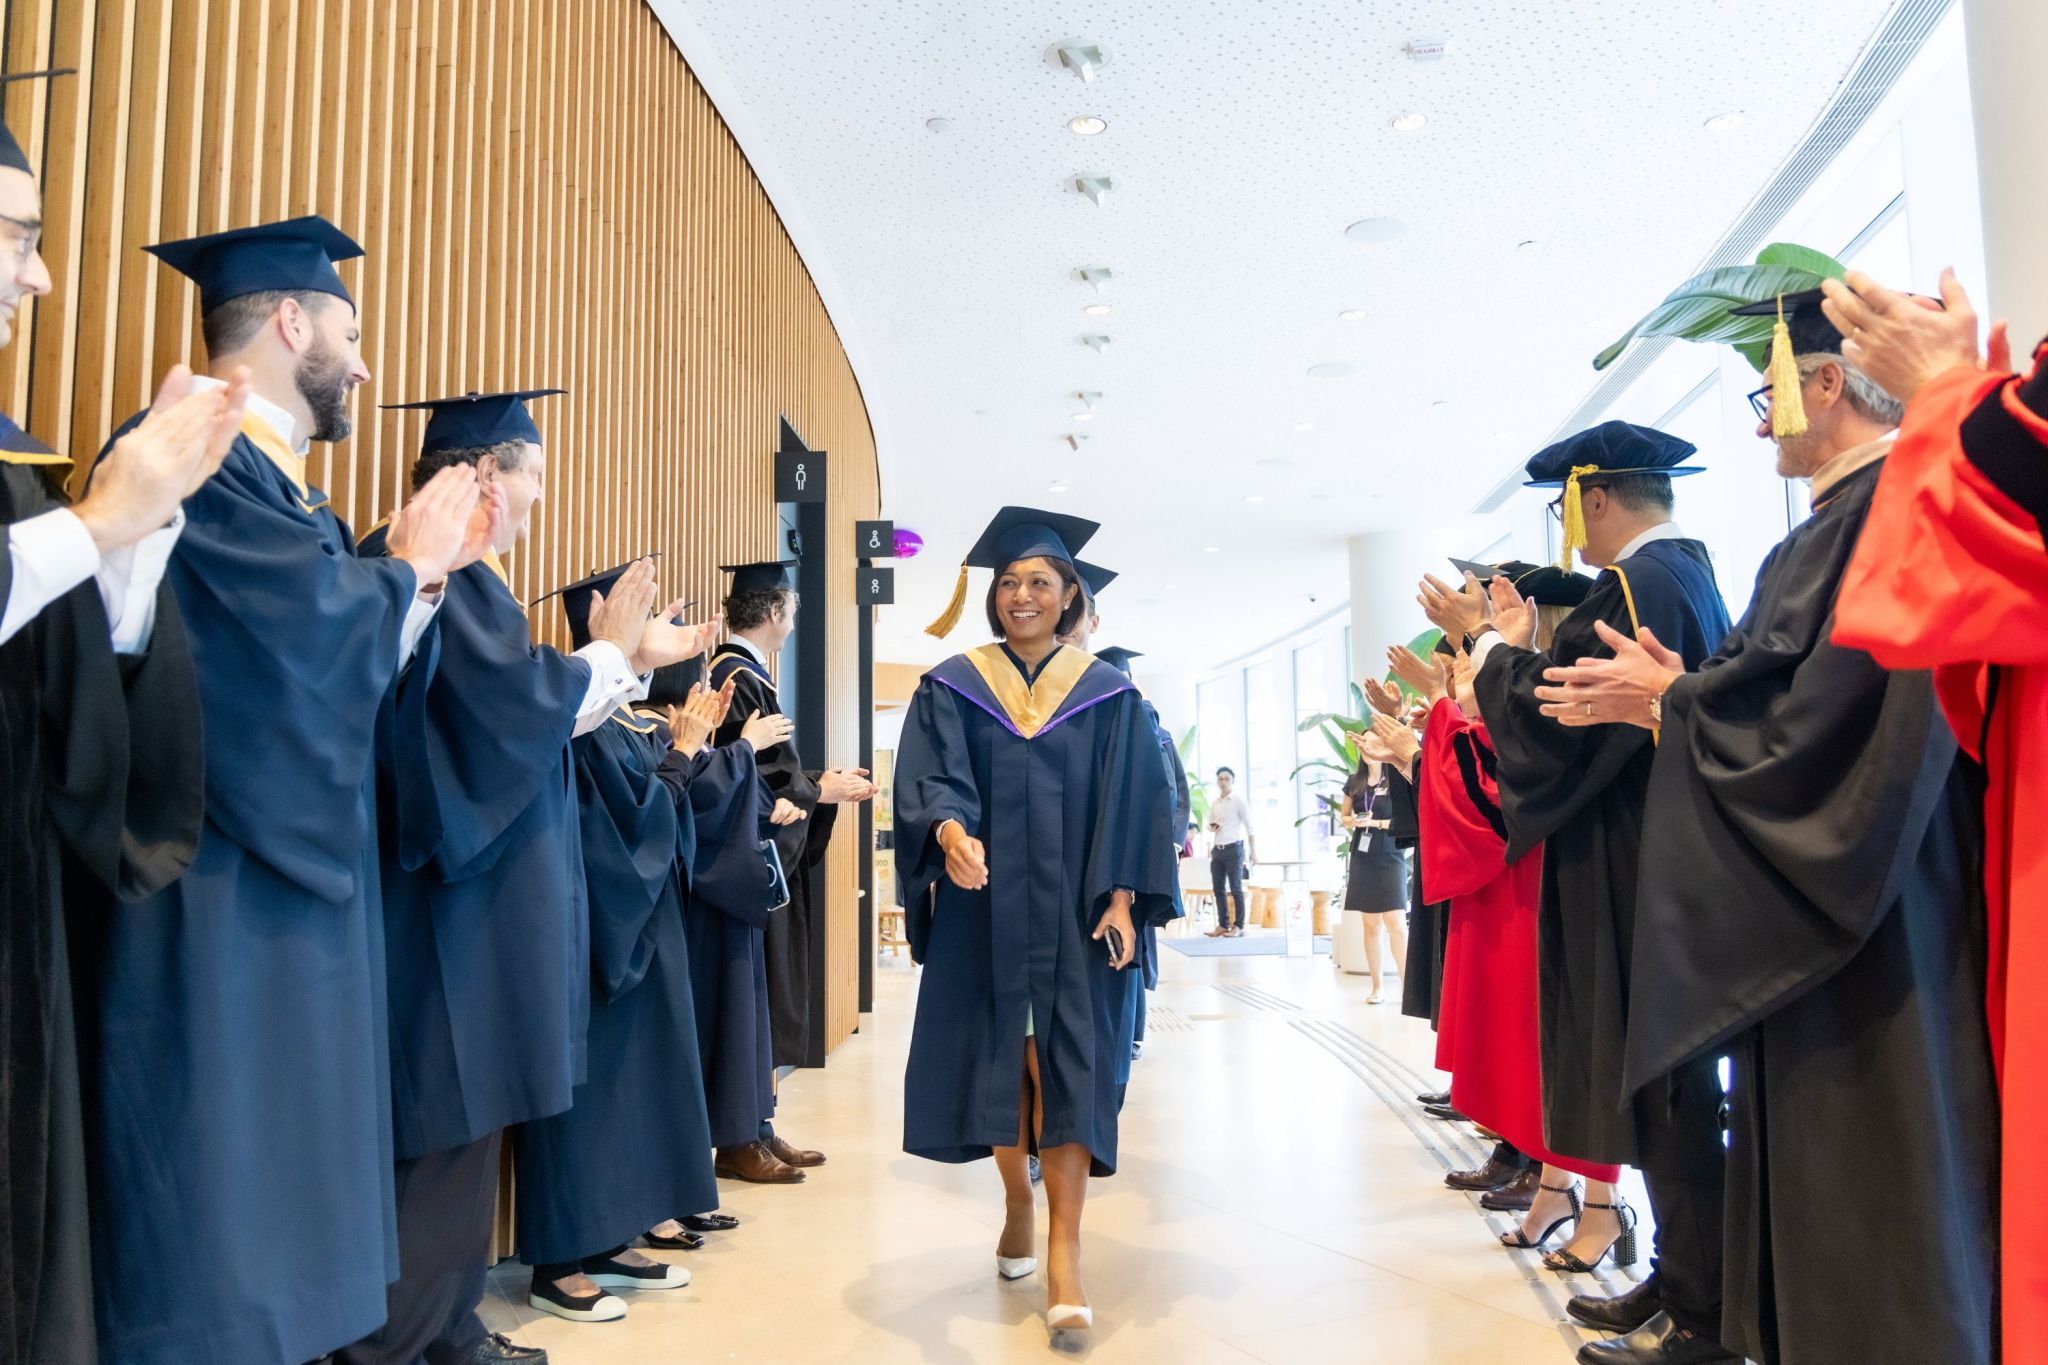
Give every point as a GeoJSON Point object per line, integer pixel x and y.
{"type": "Point", "coordinates": [1582, 803]}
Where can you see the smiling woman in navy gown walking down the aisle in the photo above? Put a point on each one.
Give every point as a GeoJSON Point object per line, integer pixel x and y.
{"type": "Point", "coordinates": [1033, 840]}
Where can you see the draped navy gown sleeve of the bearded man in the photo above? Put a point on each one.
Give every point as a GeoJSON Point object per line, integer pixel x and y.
{"type": "Point", "coordinates": [292, 617]}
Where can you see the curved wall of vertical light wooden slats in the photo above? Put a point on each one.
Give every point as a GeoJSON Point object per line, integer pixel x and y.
{"type": "Point", "coordinates": [548, 200]}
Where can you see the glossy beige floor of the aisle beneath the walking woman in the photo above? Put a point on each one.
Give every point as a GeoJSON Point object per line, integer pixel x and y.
{"type": "Point", "coordinates": [1281, 1200]}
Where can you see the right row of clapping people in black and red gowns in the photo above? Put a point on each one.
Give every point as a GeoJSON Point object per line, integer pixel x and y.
{"type": "Point", "coordinates": [1748, 908]}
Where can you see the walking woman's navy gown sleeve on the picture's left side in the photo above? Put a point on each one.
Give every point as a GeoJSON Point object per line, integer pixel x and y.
{"type": "Point", "coordinates": [935, 785]}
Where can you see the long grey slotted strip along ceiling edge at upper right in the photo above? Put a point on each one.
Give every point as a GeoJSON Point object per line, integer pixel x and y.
{"type": "Point", "coordinates": [1881, 67]}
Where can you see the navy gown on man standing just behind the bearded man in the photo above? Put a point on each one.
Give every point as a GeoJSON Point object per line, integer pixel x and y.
{"type": "Point", "coordinates": [486, 930]}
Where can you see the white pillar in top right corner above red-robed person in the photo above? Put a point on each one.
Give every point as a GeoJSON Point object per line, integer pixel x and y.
{"type": "Point", "coordinates": [2008, 42]}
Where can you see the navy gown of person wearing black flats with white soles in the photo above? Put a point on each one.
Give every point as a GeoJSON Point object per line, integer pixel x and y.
{"type": "Point", "coordinates": [636, 1145]}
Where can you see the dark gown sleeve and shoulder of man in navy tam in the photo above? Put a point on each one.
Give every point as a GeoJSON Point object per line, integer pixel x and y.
{"type": "Point", "coordinates": [1551, 773]}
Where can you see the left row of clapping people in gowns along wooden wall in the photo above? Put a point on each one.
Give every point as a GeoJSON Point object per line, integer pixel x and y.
{"type": "Point", "coordinates": [325, 879]}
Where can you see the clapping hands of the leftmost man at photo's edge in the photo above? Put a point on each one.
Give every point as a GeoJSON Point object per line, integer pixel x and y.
{"type": "Point", "coordinates": [163, 461]}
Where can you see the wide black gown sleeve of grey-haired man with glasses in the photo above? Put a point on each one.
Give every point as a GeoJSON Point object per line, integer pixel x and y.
{"type": "Point", "coordinates": [1793, 791]}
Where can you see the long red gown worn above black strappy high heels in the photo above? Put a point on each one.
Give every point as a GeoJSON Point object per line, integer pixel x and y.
{"type": "Point", "coordinates": [1488, 1032]}
